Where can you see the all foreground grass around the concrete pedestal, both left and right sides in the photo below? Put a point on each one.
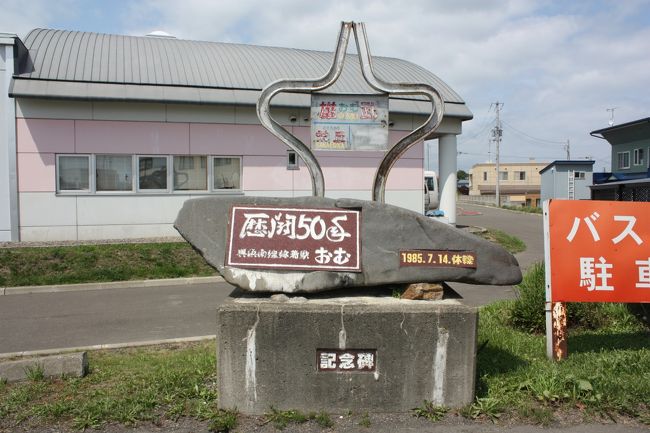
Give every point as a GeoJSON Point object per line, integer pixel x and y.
{"type": "Point", "coordinates": [607, 376]}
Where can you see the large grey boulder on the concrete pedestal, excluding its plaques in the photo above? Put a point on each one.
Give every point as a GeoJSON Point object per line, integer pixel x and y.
{"type": "Point", "coordinates": [385, 230]}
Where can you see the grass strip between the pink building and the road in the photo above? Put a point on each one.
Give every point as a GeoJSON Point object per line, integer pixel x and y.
{"type": "Point", "coordinates": [35, 266]}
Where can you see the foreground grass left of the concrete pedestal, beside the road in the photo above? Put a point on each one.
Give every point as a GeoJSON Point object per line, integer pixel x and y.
{"type": "Point", "coordinates": [126, 387]}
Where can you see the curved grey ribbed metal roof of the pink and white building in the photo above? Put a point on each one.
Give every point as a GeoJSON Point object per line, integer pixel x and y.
{"type": "Point", "coordinates": [87, 65]}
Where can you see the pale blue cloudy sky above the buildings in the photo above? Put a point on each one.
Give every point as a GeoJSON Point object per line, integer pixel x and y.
{"type": "Point", "coordinates": [556, 66]}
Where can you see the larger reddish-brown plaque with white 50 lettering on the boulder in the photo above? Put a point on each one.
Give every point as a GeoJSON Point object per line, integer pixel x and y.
{"type": "Point", "coordinates": [294, 238]}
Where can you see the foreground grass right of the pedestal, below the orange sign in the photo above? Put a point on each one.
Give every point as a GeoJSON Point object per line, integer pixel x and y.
{"type": "Point", "coordinates": [606, 374]}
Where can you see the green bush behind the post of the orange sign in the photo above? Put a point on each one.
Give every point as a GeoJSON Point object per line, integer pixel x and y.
{"type": "Point", "coordinates": [527, 312]}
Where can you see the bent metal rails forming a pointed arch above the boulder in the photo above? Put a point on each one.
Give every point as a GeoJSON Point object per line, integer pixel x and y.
{"type": "Point", "coordinates": [310, 86]}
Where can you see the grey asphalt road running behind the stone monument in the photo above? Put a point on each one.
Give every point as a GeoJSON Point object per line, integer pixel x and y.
{"type": "Point", "coordinates": [86, 318]}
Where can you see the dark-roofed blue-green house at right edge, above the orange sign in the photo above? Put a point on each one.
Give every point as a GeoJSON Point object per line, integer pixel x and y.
{"type": "Point", "coordinates": [629, 179]}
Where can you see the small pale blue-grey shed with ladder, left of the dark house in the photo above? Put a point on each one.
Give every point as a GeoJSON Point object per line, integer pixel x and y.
{"type": "Point", "coordinates": [567, 180]}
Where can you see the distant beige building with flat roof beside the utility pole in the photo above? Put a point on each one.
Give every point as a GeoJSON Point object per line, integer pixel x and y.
{"type": "Point", "coordinates": [519, 182]}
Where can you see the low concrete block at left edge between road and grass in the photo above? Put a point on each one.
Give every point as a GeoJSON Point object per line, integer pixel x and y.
{"type": "Point", "coordinates": [70, 364]}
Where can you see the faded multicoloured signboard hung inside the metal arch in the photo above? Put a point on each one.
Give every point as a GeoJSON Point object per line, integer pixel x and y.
{"type": "Point", "coordinates": [340, 122]}
